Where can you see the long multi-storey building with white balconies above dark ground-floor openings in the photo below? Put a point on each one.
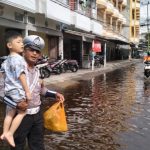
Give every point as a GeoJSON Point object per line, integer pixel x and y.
{"type": "Point", "coordinates": [69, 27]}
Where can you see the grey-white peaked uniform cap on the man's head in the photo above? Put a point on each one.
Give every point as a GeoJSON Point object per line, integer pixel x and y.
{"type": "Point", "coordinates": [35, 42]}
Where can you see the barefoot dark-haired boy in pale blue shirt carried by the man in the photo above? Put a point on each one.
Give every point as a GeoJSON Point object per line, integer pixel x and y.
{"type": "Point", "coordinates": [16, 84]}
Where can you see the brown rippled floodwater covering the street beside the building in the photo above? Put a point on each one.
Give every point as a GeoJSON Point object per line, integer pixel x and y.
{"type": "Point", "coordinates": [107, 112]}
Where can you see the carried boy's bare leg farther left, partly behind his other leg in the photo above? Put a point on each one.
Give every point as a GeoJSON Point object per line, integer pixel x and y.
{"type": "Point", "coordinates": [10, 113]}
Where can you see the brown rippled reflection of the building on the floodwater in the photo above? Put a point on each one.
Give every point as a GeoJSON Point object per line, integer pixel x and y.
{"type": "Point", "coordinates": [97, 111]}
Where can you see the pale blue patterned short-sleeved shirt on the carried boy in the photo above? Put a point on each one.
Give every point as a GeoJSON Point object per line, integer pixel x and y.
{"type": "Point", "coordinates": [13, 67]}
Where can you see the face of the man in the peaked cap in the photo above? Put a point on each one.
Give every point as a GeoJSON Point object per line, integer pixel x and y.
{"type": "Point", "coordinates": [31, 55]}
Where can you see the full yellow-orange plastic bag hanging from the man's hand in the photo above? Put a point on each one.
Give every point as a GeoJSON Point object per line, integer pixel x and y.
{"type": "Point", "coordinates": [55, 118]}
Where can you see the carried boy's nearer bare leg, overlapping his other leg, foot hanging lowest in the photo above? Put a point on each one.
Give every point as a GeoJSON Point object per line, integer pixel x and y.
{"type": "Point", "coordinates": [15, 124]}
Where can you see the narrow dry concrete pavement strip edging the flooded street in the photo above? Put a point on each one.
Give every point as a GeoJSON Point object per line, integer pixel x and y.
{"type": "Point", "coordinates": [55, 79]}
